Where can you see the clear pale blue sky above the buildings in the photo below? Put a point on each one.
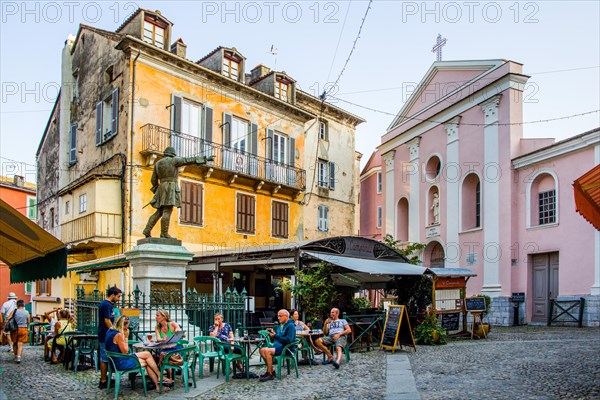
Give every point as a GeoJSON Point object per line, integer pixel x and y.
{"type": "Point", "coordinates": [558, 43]}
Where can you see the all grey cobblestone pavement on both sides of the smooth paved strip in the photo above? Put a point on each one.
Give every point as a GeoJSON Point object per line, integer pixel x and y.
{"type": "Point", "coordinates": [530, 362]}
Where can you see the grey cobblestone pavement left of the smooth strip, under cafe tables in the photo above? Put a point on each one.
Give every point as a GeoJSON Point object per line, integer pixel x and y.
{"type": "Point", "coordinates": [364, 377]}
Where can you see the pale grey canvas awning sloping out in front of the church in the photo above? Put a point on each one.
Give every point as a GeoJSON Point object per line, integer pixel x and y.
{"type": "Point", "coordinates": [366, 273]}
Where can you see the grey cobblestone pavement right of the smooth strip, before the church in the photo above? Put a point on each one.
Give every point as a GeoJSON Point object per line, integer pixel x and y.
{"type": "Point", "coordinates": [527, 362]}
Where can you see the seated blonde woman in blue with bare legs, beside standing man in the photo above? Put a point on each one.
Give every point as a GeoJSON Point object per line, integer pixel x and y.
{"type": "Point", "coordinates": [116, 342]}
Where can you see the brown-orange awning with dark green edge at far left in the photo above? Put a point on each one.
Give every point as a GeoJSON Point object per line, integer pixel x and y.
{"type": "Point", "coordinates": [30, 252]}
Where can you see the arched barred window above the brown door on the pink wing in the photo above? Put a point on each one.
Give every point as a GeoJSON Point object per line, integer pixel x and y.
{"type": "Point", "coordinates": [543, 199]}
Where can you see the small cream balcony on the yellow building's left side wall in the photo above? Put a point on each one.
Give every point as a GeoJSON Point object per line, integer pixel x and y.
{"type": "Point", "coordinates": [94, 227]}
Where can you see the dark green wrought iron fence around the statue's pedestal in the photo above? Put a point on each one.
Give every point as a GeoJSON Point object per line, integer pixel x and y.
{"type": "Point", "coordinates": [194, 312]}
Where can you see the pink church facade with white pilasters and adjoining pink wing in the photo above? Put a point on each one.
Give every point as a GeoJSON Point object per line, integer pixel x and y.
{"type": "Point", "coordinates": [458, 175]}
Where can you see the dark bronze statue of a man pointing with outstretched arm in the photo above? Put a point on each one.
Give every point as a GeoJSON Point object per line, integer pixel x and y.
{"type": "Point", "coordinates": [166, 188]}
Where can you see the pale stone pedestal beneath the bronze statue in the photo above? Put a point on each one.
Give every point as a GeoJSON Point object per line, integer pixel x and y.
{"type": "Point", "coordinates": [156, 261]}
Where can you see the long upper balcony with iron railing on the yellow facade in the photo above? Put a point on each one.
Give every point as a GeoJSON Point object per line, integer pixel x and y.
{"type": "Point", "coordinates": [233, 163]}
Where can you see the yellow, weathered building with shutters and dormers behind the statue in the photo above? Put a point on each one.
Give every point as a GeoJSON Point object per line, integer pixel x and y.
{"type": "Point", "coordinates": [125, 96]}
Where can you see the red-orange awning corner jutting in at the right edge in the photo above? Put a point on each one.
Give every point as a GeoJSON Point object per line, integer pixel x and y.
{"type": "Point", "coordinates": [587, 196]}
